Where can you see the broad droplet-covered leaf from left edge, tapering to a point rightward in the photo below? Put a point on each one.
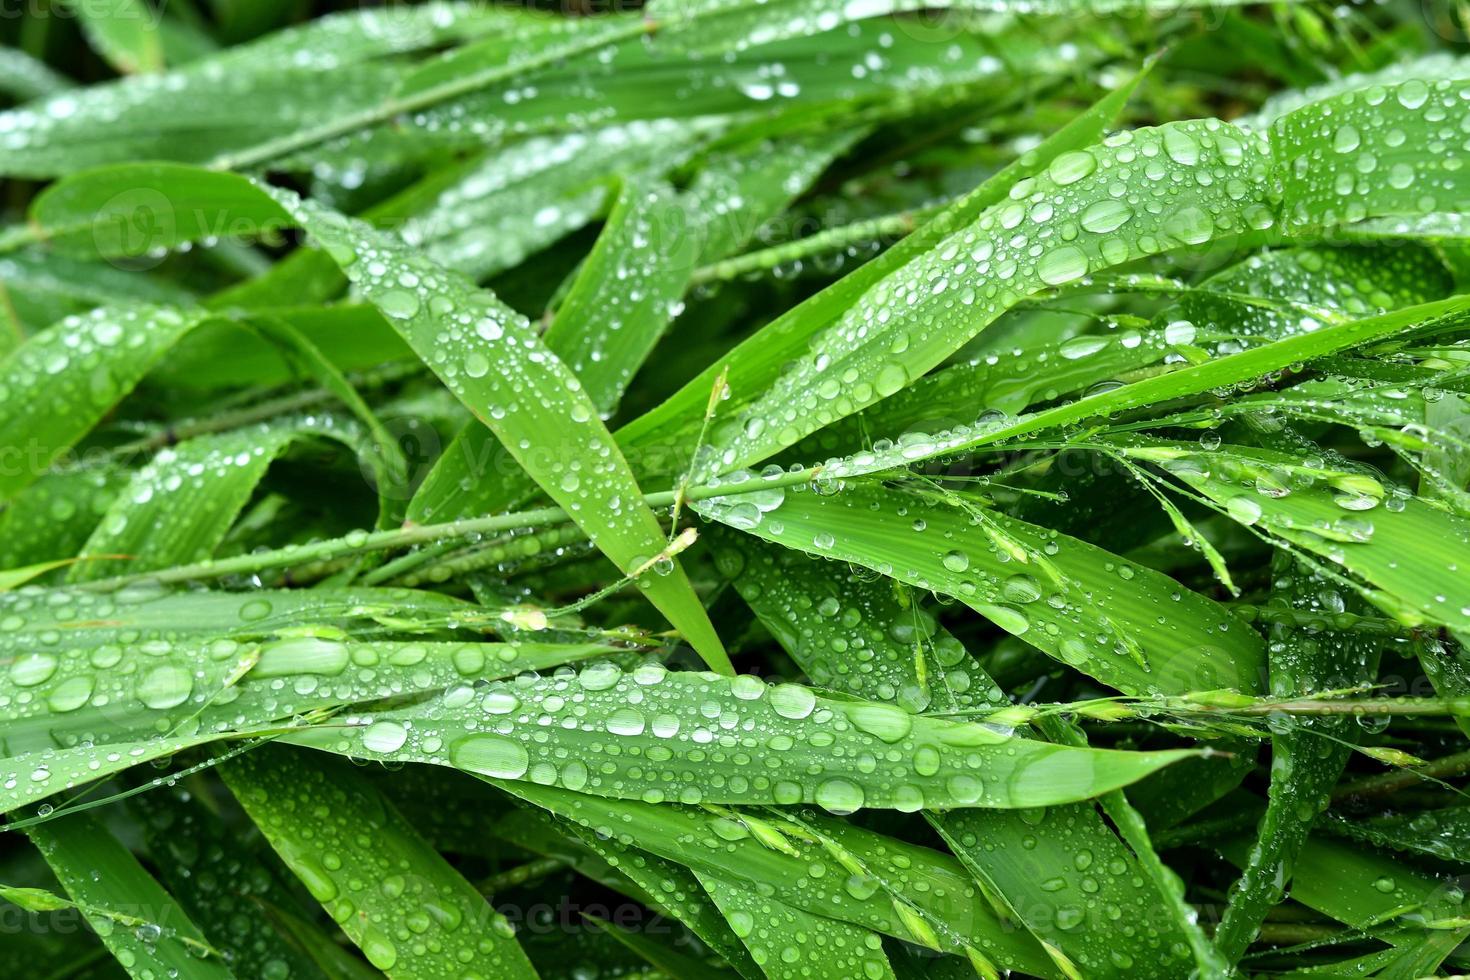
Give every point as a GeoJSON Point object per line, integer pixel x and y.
{"type": "Point", "coordinates": [218, 663]}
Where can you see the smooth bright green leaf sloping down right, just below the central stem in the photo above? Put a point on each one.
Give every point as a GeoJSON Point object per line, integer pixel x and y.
{"type": "Point", "coordinates": [1119, 622]}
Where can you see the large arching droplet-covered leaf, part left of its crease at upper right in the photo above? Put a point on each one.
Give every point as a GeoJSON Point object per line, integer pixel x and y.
{"type": "Point", "coordinates": [1139, 195]}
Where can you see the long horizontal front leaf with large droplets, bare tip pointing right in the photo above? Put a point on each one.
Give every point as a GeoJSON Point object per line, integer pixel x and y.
{"type": "Point", "coordinates": [890, 759]}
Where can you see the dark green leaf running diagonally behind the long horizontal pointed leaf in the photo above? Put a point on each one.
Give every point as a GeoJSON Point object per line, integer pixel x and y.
{"type": "Point", "coordinates": [1050, 869]}
